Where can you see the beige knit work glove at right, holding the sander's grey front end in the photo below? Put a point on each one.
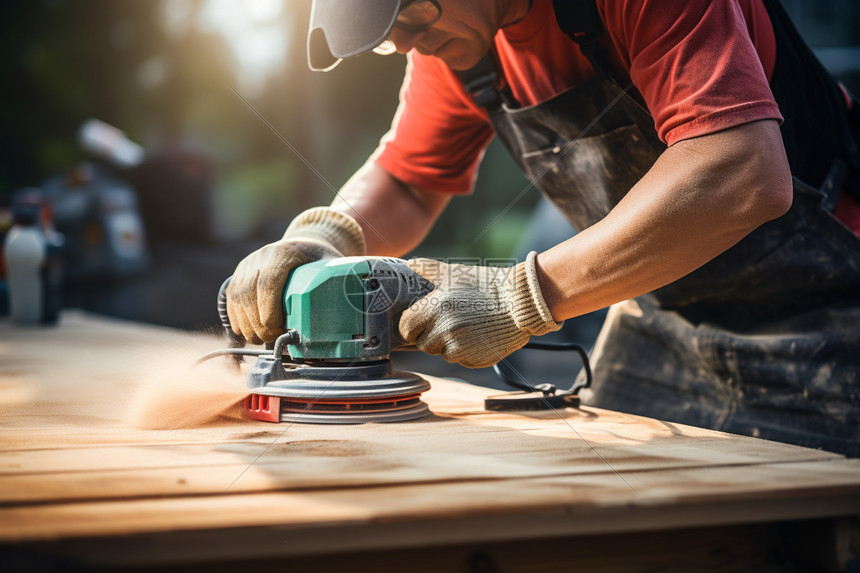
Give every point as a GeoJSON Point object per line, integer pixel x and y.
{"type": "Point", "coordinates": [476, 315]}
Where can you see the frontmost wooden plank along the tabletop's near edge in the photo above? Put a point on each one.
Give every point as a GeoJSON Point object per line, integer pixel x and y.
{"type": "Point", "coordinates": [656, 500]}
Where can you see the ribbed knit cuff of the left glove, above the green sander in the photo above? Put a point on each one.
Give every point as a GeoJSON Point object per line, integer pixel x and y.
{"type": "Point", "coordinates": [328, 225]}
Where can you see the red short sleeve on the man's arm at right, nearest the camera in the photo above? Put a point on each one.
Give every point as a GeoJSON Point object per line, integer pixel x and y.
{"type": "Point", "coordinates": [693, 62]}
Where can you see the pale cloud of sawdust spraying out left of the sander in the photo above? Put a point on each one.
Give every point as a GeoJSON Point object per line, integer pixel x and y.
{"type": "Point", "coordinates": [173, 394]}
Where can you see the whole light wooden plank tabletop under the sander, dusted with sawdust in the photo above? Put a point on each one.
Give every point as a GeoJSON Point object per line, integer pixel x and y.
{"type": "Point", "coordinates": [80, 461]}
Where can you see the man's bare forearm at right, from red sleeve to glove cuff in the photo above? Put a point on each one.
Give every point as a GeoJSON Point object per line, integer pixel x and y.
{"type": "Point", "coordinates": [702, 196]}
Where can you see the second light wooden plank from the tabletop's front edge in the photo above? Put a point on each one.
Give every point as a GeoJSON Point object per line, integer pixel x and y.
{"type": "Point", "coordinates": [159, 470]}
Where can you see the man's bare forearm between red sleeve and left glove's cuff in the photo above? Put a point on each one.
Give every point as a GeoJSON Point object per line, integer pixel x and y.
{"type": "Point", "coordinates": [394, 217]}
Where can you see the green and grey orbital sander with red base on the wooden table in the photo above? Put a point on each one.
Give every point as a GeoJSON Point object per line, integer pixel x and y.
{"type": "Point", "coordinates": [332, 365]}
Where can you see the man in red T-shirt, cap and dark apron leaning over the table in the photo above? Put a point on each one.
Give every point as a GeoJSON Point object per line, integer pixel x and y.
{"type": "Point", "coordinates": [654, 127]}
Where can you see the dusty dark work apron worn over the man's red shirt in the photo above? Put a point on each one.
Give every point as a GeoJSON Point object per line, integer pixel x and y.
{"type": "Point", "coordinates": [763, 340]}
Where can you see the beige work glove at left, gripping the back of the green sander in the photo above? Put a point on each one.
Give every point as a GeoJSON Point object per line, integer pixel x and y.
{"type": "Point", "coordinates": [255, 294]}
